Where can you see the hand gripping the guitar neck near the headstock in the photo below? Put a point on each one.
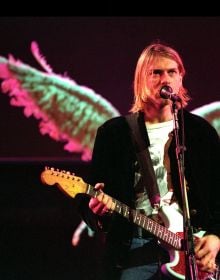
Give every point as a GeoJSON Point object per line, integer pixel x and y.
{"type": "Point", "coordinates": [103, 203]}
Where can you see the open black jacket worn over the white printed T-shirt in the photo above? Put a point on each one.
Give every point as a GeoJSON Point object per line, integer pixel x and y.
{"type": "Point", "coordinates": [113, 163]}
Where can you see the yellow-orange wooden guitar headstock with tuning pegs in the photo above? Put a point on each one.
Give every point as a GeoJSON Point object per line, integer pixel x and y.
{"type": "Point", "coordinates": [66, 181]}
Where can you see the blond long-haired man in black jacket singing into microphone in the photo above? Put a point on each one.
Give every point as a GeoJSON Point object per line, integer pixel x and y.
{"type": "Point", "coordinates": [131, 252]}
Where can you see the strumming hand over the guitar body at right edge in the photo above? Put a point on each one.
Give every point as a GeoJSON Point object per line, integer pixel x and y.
{"type": "Point", "coordinates": [206, 250]}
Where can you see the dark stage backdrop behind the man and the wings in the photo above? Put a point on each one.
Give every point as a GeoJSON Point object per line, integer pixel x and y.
{"type": "Point", "coordinates": [37, 221]}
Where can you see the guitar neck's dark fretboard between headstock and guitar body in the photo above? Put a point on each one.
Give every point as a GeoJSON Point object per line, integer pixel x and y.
{"type": "Point", "coordinates": [141, 220]}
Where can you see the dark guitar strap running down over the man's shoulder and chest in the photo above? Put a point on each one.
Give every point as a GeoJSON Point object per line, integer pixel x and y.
{"type": "Point", "coordinates": [141, 143]}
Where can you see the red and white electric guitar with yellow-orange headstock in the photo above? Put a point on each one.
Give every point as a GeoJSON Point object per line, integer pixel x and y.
{"type": "Point", "coordinates": [170, 233]}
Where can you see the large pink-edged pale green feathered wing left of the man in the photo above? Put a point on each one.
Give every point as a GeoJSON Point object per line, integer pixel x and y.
{"type": "Point", "coordinates": [67, 111]}
